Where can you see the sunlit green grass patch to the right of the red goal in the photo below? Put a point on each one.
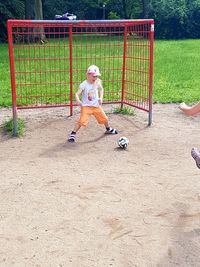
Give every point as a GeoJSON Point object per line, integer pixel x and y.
{"type": "Point", "coordinates": [176, 71]}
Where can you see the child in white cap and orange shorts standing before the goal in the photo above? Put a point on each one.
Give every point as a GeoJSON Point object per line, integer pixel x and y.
{"type": "Point", "coordinates": [91, 91]}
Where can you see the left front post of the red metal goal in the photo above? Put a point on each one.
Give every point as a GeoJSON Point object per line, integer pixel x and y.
{"type": "Point", "coordinates": [12, 75]}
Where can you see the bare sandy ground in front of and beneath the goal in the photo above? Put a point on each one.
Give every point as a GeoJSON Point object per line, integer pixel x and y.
{"type": "Point", "coordinates": [90, 204]}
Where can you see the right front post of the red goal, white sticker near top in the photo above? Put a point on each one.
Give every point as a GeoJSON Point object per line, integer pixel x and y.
{"type": "Point", "coordinates": [151, 71]}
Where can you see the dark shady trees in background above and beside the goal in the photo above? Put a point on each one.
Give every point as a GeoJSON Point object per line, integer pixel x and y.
{"type": "Point", "coordinates": [174, 19]}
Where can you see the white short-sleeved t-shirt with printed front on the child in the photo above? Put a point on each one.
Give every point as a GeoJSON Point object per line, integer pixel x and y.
{"type": "Point", "coordinates": [90, 93]}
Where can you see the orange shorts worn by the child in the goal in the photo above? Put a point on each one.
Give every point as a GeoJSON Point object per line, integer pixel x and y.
{"type": "Point", "coordinates": [97, 112]}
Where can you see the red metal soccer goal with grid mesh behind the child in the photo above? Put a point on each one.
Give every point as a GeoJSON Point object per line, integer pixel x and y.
{"type": "Point", "coordinates": [49, 59]}
